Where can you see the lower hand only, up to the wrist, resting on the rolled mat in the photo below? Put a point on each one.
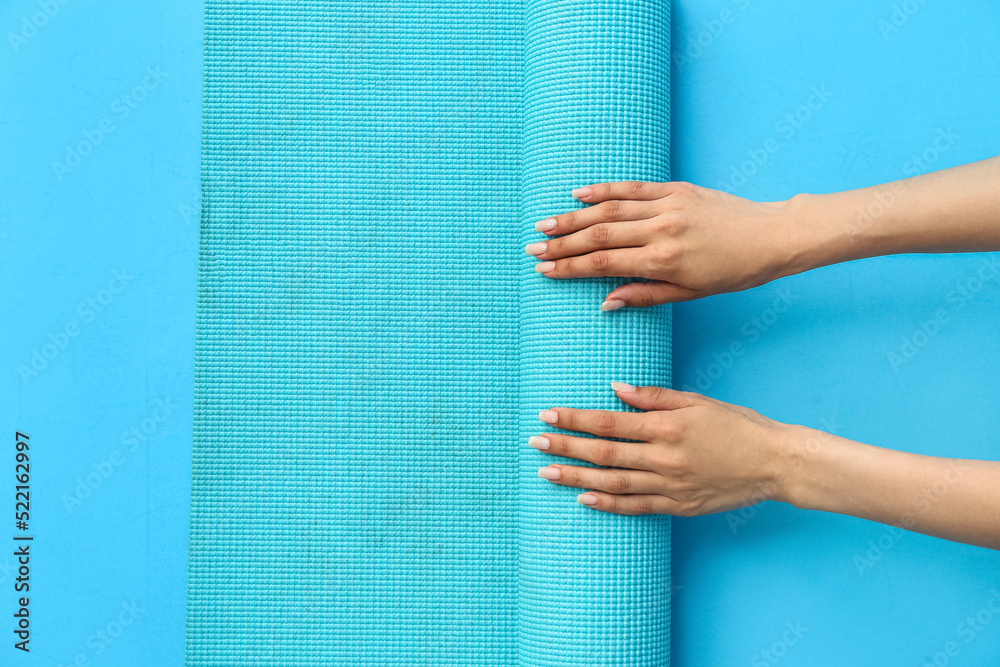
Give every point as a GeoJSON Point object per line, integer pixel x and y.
{"type": "Point", "coordinates": [697, 455]}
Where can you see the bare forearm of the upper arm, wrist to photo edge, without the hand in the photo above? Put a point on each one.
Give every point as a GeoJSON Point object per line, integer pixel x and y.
{"type": "Point", "coordinates": [952, 210]}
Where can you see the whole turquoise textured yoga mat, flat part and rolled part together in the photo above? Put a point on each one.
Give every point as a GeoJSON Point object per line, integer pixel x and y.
{"type": "Point", "coordinates": [374, 346]}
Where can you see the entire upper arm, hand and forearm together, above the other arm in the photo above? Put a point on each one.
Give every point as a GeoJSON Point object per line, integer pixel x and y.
{"type": "Point", "coordinates": [694, 241]}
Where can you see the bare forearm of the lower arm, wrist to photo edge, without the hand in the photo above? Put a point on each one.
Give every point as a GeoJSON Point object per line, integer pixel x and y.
{"type": "Point", "coordinates": [956, 499]}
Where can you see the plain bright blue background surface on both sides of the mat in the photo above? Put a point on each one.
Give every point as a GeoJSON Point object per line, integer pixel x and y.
{"type": "Point", "coordinates": [131, 206]}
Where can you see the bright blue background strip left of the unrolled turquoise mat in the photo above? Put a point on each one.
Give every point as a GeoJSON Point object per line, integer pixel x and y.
{"type": "Point", "coordinates": [131, 206]}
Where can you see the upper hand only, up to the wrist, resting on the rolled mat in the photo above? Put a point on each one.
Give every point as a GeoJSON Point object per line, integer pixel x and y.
{"type": "Point", "coordinates": [691, 240]}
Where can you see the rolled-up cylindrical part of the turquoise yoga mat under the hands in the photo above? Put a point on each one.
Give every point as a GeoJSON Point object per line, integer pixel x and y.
{"type": "Point", "coordinates": [594, 587]}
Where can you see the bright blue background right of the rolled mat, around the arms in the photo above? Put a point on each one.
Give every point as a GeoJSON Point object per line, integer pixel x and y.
{"type": "Point", "coordinates": [824, 362]}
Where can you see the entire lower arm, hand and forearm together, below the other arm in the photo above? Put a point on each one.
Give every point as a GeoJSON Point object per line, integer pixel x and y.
{"type": "Point", "coordinates": [697, 455]}
